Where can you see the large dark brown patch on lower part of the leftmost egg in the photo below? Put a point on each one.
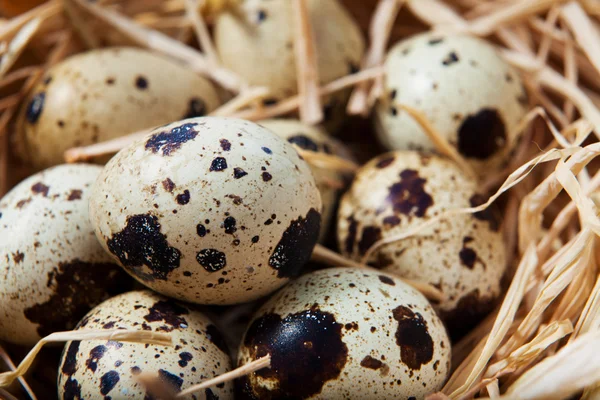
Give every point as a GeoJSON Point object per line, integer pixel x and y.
{"type": "Point", "coordinates": [76, 288]}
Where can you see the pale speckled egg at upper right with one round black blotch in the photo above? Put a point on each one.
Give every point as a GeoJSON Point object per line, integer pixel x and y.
{"type": "Point", "coordinates": [466, 90]}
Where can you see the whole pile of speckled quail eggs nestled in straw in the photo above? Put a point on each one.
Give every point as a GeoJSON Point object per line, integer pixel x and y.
{"type": "Point", "coordinates": [208, 214]}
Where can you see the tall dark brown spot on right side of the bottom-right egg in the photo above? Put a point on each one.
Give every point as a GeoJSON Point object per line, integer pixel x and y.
{"type": "Point", "coordinates": [412, 335]}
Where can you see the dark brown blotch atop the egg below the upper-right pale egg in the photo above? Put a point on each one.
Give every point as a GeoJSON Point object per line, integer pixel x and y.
{"type": "Point", "coordinates": [409, 196]}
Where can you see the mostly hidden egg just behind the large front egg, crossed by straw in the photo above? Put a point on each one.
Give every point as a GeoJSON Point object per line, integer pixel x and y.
{"type": "Point", "coordinates": [312, 138]}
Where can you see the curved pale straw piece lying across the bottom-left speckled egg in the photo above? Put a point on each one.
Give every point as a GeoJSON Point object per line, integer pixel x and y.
{"type": "Point", "coordinates": [122, 335]}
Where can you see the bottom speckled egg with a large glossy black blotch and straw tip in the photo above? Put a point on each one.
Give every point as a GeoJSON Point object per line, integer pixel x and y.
{"type": "Point", "coordinates": [346, 333]}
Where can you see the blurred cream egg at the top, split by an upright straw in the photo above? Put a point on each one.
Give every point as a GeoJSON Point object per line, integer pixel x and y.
{"type": "Point", "coordinates": [258, 44]}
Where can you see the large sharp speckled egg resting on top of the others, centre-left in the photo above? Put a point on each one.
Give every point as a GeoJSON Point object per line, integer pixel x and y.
{"type": "Point", "coordinates": [208, 210]}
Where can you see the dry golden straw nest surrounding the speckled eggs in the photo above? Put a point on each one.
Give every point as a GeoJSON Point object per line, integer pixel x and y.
{"type": "Point", "coordinates": [541, 341]}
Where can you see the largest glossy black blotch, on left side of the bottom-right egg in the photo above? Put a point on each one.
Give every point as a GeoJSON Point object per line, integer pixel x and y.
{"type": "Point", "coordinates": [306, 351]}
